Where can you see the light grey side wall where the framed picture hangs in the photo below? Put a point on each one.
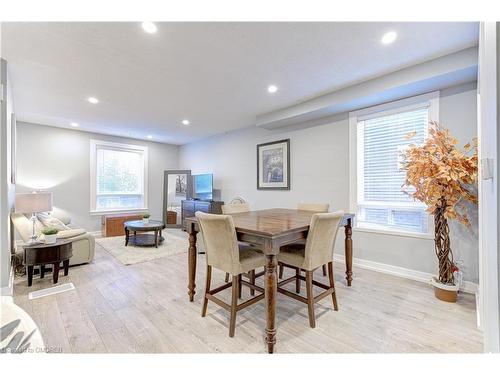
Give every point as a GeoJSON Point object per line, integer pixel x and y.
{"type": "Point", "coordinates": [320, 173]}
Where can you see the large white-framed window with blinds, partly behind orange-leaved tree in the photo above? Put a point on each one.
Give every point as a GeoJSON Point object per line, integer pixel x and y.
{"type": "Point", "coordinates": [377, 140]}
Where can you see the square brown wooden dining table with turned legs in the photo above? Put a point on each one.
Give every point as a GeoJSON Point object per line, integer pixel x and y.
{"type": "Point", "coordinates": [269, 229]}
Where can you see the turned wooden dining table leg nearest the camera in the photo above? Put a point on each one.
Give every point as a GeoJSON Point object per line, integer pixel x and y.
{"type": "Point", "coordinates": [271, 286]}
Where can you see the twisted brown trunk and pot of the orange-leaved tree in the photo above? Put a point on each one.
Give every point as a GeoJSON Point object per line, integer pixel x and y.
{"type": "Point", "coordinates": [444, 286]}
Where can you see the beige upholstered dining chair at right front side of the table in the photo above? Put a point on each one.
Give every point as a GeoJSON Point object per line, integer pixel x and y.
{"type": "Point", "coordinates": [316, 252]}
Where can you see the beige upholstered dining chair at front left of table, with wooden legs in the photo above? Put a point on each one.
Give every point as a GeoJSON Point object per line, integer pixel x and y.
{"type": "Point", "coordinates": [225, 253]}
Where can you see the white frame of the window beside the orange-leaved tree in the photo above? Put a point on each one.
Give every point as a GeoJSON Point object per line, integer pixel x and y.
{"type": "Point", "coordinates": [429, 100]}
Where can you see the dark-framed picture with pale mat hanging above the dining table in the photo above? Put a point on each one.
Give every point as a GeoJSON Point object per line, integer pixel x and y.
{"type": "Point", "coordinates": [273, 165]}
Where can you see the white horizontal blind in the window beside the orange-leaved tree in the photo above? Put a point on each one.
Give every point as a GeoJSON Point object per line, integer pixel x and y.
{"type": "Point", "coordinates": [381, 138]}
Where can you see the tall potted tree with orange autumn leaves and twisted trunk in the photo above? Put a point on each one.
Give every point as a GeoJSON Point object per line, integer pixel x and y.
{"type": "Point", "coordinates": [442, 176]}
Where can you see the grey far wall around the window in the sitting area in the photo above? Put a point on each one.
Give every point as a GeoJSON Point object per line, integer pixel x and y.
{"type": "Point", "coordinates": [58, 160]}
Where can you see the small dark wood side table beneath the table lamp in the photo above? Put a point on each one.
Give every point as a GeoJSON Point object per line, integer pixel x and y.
{"type": "Point", "coordinates": [40, 254]}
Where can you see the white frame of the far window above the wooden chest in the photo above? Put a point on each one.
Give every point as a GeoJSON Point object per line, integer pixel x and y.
{"type": "Point", "coordinates": [94, 146]}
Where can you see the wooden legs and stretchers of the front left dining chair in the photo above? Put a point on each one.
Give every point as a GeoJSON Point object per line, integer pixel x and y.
{"type": "Point", "coordinates": [236, 285]}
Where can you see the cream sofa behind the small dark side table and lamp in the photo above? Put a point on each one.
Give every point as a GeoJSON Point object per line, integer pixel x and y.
{"type": "Point", "coordinates": [83, 242]}
